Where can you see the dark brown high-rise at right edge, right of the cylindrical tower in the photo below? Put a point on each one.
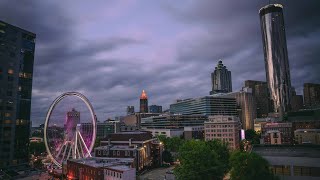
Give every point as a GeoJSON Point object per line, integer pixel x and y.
{"type": "Point", "coordinates": [311, 93]}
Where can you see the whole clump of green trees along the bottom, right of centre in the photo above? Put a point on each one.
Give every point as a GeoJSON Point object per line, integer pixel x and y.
{"type": "Point", "coordinates": [213, 160]}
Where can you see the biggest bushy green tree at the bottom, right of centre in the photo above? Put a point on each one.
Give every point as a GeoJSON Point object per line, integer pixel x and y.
{"type": "Point", "coordinates": [198, 161]}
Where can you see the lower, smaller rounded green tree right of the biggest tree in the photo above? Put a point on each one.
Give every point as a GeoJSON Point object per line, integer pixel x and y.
{"type": "Point", "coordinates": [249, 166]}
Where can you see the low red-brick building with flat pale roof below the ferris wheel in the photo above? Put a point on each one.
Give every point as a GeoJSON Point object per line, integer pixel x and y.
{"type": "Point", "coordinates": [101, 168]}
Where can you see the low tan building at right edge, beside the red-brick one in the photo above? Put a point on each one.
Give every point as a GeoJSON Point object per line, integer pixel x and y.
{"type": "Point", "coordinates": [307, 136]}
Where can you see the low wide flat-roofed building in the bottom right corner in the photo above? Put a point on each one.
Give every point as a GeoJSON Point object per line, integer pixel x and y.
{"type": "Point", "coordinates": [291, 162]}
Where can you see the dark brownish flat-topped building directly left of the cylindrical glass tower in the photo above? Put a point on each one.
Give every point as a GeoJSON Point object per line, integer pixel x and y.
{"type": "Point", "coordinates": [261, 95]}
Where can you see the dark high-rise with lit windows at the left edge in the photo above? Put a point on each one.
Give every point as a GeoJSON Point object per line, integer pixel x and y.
{"type": "Point", "coordinates": [17, 48]}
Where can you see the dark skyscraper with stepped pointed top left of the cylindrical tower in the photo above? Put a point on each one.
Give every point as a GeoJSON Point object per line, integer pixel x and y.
{"type": "Point", "coordinates": [221, 79]}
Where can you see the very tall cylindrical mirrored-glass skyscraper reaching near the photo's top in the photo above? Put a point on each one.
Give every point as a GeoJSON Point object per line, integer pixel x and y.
{"type": "Point", "coordinates": [276, 57]}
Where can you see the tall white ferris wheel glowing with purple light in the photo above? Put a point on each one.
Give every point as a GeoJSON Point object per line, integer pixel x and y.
{"type": "Point", "coordinates": [68, 139]}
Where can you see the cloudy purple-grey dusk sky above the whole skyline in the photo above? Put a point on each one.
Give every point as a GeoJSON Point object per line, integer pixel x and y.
{"type": "Point", "coordinates": [111, 50]}
